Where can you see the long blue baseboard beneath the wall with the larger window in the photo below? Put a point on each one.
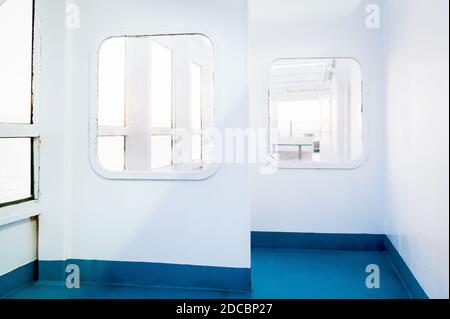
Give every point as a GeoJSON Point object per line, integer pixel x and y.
{"type": "Point", "coordinates": [150, 274]}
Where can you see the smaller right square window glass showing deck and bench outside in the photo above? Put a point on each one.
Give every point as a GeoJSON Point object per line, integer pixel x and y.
{"type": "Point", "coordinates": [316, 113]}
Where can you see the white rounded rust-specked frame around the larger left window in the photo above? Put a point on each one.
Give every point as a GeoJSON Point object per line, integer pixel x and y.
{"type": "Point", "coordinates": [161, 174]}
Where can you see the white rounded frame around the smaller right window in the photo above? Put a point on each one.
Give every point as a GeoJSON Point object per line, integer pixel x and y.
{"type": "Point", "coordinates": [350, 165]}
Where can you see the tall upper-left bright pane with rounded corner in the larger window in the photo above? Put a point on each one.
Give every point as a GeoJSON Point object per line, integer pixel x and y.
{"type": "Point", "coordinates": [111, 95]}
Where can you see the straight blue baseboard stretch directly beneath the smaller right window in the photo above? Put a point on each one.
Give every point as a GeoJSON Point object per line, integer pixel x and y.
{"type": "Point", "coordinates": [312, 241]}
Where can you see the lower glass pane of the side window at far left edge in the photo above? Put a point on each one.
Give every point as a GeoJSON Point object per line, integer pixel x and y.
{"type": "Point", "coordinates": [15, 169]}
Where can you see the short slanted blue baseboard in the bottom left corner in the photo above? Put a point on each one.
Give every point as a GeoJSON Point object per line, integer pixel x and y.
{"type": "Point", "coordinates": [18, 278]}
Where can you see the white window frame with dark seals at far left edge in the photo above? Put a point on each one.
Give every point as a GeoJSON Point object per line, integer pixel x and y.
{"type": "Point", "coordinates": [9, 211]}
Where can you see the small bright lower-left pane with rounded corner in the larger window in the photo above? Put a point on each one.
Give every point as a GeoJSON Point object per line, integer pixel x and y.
{"type": "Point", "coordinates": [111, 153]}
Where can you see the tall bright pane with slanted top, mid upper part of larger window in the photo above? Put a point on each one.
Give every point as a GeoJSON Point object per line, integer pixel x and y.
{"type": "Point", "coordinates": [161, 86]}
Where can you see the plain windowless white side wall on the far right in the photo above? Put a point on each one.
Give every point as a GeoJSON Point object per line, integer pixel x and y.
{"type": "Point", "coordinates": [418, 138]}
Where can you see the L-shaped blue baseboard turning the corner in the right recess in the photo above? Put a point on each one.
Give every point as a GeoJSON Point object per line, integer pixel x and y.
{"type": "Point", "coordinates": [343, 242]}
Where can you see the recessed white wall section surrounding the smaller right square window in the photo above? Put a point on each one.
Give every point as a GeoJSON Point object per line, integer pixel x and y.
{"type": "Point", "coordinates": [334, 201]}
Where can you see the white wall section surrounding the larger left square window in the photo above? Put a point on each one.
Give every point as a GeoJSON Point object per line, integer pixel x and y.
{"type": "Point", "coordinates": [88, 217]}
